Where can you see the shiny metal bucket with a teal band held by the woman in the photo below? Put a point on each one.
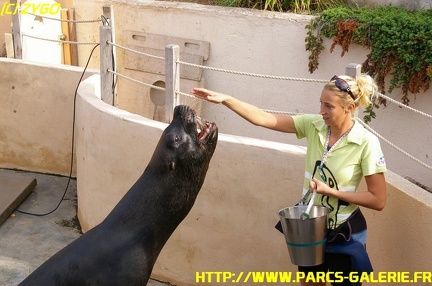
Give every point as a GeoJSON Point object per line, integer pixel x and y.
{"type": "Point", "coordinates": [305, 238]}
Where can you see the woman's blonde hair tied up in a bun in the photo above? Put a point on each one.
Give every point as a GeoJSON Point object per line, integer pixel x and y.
{"type": "Point", "coordinates": [363, 89]}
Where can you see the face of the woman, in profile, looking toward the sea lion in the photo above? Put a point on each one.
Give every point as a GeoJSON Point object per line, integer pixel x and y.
{"type": "Point", "coordinates": [331, 110]}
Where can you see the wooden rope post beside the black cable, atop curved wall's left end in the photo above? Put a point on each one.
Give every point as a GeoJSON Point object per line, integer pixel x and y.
{"type": "Point", "coordinates": [106, 62]}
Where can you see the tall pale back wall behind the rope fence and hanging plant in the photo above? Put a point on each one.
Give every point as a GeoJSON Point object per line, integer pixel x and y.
{"type": "Point", "coordinates": [260, 42]}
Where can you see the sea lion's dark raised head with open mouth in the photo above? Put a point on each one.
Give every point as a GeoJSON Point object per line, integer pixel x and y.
{"type": "Point", "coordinates": [186, 147]}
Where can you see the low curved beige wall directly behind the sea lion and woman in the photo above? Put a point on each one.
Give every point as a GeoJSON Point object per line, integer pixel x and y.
{"type": "Point", "coordinates": [231, 226]}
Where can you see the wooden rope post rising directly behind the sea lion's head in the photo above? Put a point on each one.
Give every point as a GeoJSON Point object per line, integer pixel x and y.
{"type": "Point", "coordinates": [172, 78]}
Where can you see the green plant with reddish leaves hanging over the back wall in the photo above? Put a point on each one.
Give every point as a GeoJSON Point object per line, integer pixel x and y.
{"type": "Point", "coordinates": [400, 44]}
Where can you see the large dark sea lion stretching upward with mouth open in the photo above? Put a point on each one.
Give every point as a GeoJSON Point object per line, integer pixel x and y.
{"type": "Point", "coordinates": [123, 248]}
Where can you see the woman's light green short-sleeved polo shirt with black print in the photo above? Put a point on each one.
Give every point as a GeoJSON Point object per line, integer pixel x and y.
{"type": "Point", "coordinates": [357, 155]}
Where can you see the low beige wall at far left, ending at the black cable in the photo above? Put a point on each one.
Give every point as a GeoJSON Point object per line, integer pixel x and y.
{"type": "Point", "coordinates": [36, 112]}
